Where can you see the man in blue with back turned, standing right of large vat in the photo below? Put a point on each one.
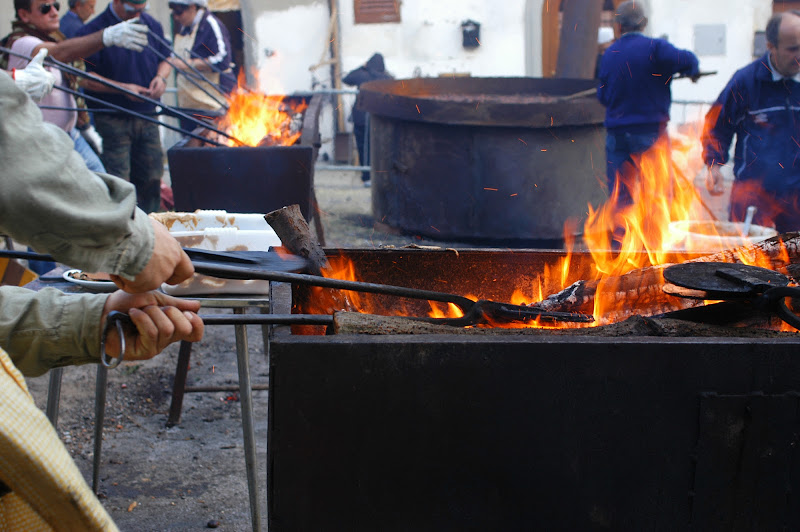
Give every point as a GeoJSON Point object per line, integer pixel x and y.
{"type": "Point", "coordinates": [634, 85]}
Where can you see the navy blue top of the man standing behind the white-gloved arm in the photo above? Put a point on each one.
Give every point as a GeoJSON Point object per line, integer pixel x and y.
{"type": "Point", "coordinates": [123, 65]}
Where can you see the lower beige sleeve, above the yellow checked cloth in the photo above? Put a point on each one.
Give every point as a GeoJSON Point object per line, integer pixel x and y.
{"type": "Point", "coordinates": [49, 329]}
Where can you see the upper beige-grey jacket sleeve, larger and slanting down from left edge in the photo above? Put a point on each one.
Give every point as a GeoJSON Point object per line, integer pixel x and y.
{"type": "Point", "coordinates": [52, 202]}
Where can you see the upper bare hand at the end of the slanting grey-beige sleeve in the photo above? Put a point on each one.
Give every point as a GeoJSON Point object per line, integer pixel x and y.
{"type": "Point", "coordinates": [168, 264]}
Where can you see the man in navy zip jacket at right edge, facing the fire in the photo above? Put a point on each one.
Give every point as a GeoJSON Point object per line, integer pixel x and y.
{"type": "Point", "coordinates": [761, 106]}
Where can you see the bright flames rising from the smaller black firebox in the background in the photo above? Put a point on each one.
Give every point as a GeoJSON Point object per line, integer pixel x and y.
{"type": "Point", "coordinates": [258, 119]}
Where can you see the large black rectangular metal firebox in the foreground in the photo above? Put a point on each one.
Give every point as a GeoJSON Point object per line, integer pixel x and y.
{"type": "Point", "coordinates": [449, 432]}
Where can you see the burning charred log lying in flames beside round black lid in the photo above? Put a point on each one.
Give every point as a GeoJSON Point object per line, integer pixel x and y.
{"type": "Point", "coordinates": [642, 289]}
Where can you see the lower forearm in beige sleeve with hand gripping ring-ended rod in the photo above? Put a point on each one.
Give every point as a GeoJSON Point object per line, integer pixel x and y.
{"type": "Point", "coordinates": [49, 329]}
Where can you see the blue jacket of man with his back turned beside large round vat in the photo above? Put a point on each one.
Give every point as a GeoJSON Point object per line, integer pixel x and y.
{"type": "Point", "coordinates": [635, 77]}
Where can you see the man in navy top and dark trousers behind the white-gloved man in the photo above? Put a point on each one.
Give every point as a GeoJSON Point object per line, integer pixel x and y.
{"type": "Point", "coordinates": [131, 146]}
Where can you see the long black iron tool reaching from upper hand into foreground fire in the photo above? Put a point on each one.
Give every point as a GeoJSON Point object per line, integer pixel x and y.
{"type": "Point", "coordinates": [233, 265]}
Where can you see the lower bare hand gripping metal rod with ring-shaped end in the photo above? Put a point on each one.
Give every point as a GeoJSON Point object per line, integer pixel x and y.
{"type": "Point", "coordinates": [159, 319]}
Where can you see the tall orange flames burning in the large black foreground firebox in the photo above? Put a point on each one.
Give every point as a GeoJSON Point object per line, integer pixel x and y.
{"type": "Point", "coordinates": [624, 237]}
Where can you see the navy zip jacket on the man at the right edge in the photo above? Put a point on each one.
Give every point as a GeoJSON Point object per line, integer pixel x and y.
{"type": "Point", "coordinates": [765, 117]}
